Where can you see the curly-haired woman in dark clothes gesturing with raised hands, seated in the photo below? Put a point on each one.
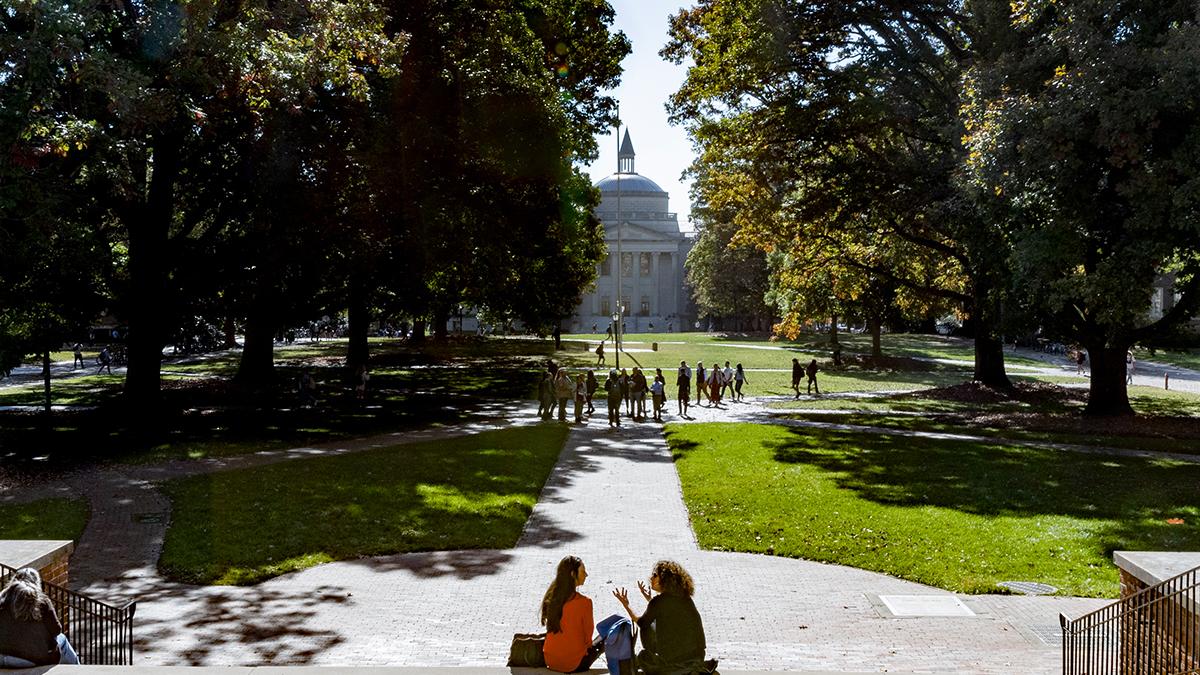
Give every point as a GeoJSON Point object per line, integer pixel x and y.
{"type": "Point", "coordinates": [673, 634]}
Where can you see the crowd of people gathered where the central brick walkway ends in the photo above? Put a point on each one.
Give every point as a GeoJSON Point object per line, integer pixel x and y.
{"type": "Point", "coordinates": [557, 390]}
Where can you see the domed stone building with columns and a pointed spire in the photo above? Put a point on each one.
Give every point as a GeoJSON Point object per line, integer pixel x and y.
{"type": "Point", "coordinates": [652, 255]}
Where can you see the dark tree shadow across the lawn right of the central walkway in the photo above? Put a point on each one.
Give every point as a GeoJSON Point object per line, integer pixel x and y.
{"type": "Point", "coordinates": [1133, 497]}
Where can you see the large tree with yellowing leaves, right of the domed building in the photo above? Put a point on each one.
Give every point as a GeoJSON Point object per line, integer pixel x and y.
{"type": "Point", "coordinates": [838, 123]}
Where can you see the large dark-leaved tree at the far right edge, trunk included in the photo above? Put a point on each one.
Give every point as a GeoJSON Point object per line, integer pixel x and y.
{"type": "Point", "coordinates": [1083, 123]}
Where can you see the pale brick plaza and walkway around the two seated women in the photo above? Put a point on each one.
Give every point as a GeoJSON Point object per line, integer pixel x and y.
{"type": "Point", "coordinates": [615, 500]}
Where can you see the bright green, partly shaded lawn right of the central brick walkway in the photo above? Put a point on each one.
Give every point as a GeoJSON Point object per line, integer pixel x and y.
{"type": "Point", "coordinates": [958, 516]}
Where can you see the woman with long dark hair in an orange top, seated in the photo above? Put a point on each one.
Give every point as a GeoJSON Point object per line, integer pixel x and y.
{"type": "Point", "coordinates": [567, 616]}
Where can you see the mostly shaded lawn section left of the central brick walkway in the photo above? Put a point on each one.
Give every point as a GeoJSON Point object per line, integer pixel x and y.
{"type": "Point", "coordinates": [249, 525]}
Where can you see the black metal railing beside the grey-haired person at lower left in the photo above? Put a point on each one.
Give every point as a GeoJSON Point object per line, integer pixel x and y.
{"type": "Point", "coordinates": [101, 635]}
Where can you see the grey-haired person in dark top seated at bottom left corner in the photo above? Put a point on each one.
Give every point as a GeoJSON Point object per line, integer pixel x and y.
{"type": "Point", "coordinates": [31, 634]}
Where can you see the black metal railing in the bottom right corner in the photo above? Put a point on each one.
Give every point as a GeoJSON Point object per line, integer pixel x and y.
{"type": "Point", "coordinates": [1153, 632]}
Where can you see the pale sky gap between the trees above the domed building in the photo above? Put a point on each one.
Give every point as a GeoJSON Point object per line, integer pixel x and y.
{"type": "Point", "coordinates": [663, 151]}
